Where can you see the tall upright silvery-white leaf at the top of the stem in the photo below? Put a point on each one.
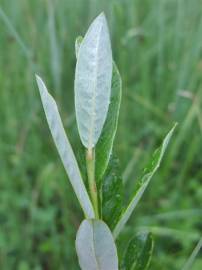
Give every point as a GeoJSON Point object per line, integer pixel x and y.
{"type": "Point", "coordinates": [93, 81]}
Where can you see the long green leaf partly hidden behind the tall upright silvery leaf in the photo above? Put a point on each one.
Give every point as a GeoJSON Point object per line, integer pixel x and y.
{"type": "Point", "coordinates": [104, 146]}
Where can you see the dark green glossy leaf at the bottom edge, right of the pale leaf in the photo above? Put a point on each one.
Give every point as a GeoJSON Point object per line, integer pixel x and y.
{"type": "Point", "coordinates": [139, 252]}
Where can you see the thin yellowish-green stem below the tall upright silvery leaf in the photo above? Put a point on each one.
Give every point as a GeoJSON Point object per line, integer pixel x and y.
{"type": "Point", "coordinates": [90, 164]}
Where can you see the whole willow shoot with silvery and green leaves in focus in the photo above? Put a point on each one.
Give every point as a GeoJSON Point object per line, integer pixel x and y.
{"type": "Point", "coordinates": [97, 101]}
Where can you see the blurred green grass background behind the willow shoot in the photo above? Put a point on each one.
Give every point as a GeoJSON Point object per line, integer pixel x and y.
{"type": "Point", "coordinates": [158, 48]}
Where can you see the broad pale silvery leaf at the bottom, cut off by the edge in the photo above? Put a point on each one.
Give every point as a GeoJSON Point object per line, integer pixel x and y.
{"type": "Point", "coordinates": [95, 246]}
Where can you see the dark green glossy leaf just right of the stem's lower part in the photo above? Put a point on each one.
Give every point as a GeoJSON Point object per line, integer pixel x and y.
{"type": "Point", "coordinates": [112, 194]}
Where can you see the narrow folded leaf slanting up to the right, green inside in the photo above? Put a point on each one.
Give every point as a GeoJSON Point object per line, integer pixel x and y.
{"type": "Point", "coordinates": [143, 182]}
